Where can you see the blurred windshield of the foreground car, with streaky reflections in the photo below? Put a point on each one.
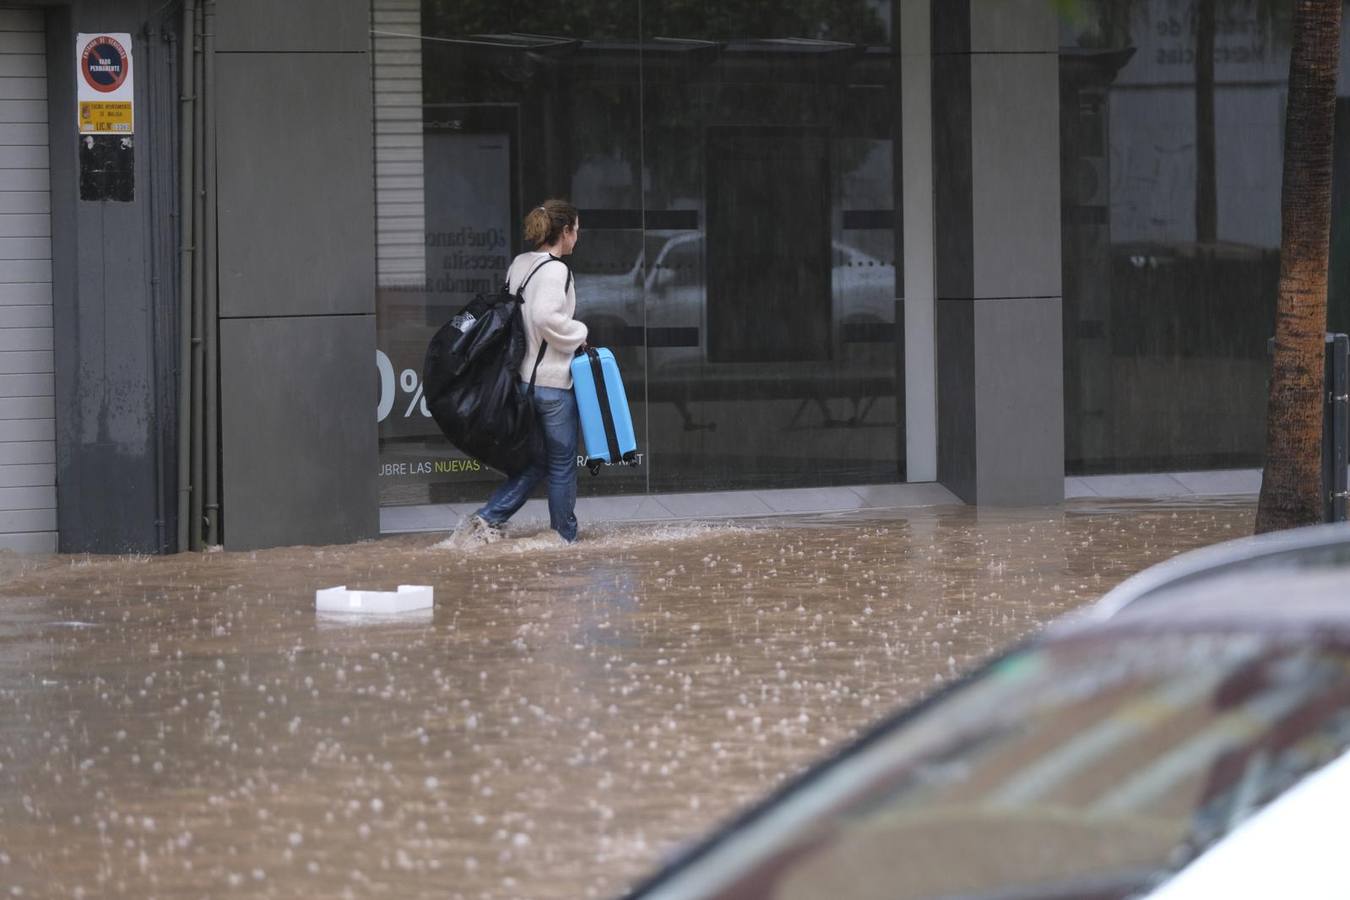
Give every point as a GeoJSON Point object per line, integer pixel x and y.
{"type": "Point", "coordinates": [1086, 768]}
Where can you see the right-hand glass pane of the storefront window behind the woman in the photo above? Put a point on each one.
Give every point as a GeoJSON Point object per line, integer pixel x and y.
{"type": "Point", "coordinates": [780, 365]}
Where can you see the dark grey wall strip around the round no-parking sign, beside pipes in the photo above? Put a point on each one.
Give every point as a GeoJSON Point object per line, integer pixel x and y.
{"type": "Point", "coordinates": [111, 283]}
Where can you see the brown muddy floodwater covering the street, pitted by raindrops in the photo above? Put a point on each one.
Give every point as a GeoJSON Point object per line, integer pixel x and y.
{"type": "Point", "coordinates": [565, 719]}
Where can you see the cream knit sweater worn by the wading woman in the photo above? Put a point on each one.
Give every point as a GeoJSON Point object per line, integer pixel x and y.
{"type": "Point", "coordinates": [550, 303]}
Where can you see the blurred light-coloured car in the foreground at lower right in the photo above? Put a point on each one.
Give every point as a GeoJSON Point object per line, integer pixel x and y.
{"type": "Point", "coordinates": [1185, 739]}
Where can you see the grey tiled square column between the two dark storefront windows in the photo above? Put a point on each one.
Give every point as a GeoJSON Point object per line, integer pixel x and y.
{"type": "Point", "coordinates": [997, 211]}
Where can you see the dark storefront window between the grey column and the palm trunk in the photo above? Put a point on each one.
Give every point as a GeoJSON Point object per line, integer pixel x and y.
{"type": "Point", "coordinates": [1171, 176]}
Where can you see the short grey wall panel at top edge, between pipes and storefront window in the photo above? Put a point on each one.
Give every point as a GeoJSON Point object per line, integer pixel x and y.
{"type": "Point", "coordinates": [294, 25]}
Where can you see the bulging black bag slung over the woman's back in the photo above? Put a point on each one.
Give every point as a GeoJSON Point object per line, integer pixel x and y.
{"type": "Point", "coordinates": [472, 377]}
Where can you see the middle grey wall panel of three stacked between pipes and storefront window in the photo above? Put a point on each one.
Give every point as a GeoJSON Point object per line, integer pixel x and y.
{"type": "Point", "coordinates": [296, 186]}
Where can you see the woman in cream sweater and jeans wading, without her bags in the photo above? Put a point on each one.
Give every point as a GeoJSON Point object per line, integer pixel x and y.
{"type": "Point", "coordinates": [550, 303]}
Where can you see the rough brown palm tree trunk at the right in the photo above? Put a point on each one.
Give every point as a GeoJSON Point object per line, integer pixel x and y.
{"type": "Point", "coordinates": [1291, 489]}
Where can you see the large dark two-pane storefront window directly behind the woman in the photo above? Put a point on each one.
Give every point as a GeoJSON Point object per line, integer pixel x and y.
{"type": "Point", "coordinates": [735, 171]}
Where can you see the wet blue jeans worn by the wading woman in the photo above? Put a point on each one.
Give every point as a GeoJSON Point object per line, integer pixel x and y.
{"type": "Point", "coordinates": [558, 419]}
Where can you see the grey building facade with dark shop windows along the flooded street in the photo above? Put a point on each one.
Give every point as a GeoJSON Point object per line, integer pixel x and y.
{"type": "Point", "coordinates": [986, 244]}
